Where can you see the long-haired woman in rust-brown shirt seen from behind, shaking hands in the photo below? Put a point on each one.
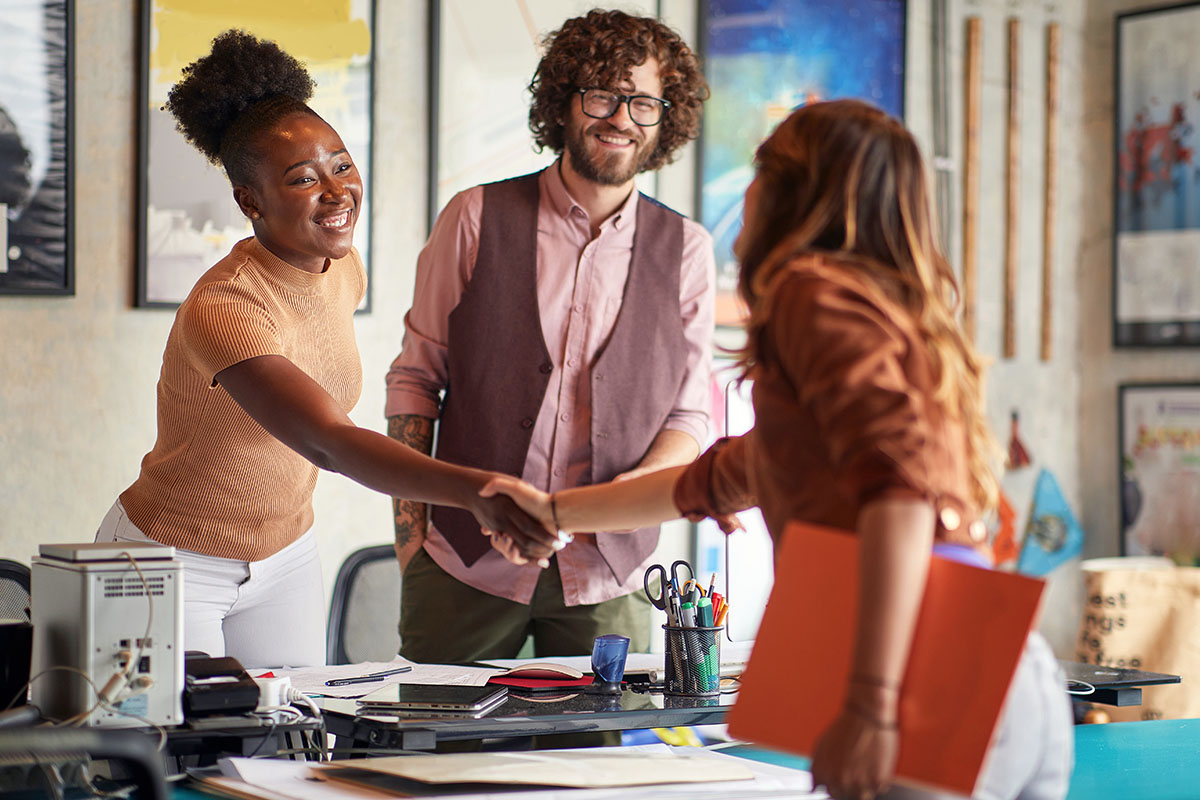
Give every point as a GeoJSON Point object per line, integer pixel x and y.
{"type": "Point", "coordinates": [868, 418]}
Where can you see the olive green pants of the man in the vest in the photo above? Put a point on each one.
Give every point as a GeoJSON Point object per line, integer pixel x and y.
{"type": "Point", "coordinates": [443, 621]}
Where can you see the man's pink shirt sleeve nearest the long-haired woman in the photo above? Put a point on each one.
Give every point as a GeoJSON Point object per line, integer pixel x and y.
{"type": "Point", "coordinates": [698, 297]}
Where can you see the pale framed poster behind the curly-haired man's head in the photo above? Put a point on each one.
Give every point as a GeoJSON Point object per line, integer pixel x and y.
{"type": "Point", "coordinates": [483, 61]}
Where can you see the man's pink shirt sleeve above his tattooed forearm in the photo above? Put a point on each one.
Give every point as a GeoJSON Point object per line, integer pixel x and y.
{"type": "Point", "coordinates": [443, 269]}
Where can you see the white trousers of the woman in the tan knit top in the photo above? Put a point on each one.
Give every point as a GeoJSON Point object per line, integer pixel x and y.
{"type": "Point", "coordinates": [268, 613]}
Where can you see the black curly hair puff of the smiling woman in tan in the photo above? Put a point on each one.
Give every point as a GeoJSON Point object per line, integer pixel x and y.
{"type": "Point", "coordinates": [226, 99]}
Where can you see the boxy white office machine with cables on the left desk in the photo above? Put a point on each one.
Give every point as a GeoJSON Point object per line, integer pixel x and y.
{"type": "Point", "coordinates": [95, 615]}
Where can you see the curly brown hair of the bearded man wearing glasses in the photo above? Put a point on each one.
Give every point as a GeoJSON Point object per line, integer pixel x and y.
{"type": "Point", "coordinates": [602, 50]}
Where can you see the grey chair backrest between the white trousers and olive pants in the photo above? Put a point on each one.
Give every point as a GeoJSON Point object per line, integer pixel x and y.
{"type": "Point", "coordinates": [364, 615]}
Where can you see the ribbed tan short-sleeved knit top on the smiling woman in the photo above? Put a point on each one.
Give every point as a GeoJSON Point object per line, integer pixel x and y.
{"type": "Point", "coordinates": [215, 482]}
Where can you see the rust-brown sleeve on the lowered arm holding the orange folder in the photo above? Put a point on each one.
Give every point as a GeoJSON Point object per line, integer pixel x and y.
{"type": "Point", "coordinates": [851, 365]}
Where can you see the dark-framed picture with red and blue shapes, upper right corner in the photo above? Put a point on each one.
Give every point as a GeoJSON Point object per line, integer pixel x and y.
{"type": "Point", "coordinates": [1156, 249]}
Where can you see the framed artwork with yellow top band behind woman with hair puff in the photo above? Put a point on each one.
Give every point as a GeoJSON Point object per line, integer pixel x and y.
{"type": "Point", "coordinates": [188, 220]}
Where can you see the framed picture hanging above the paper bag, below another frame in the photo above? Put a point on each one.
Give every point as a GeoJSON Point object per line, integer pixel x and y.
{"type": "Point", "coordinates": [1160, 440]}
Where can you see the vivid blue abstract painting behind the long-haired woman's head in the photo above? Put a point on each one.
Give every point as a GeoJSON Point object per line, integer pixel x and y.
{"type": "Point", "coordinates": [764, 59]}
